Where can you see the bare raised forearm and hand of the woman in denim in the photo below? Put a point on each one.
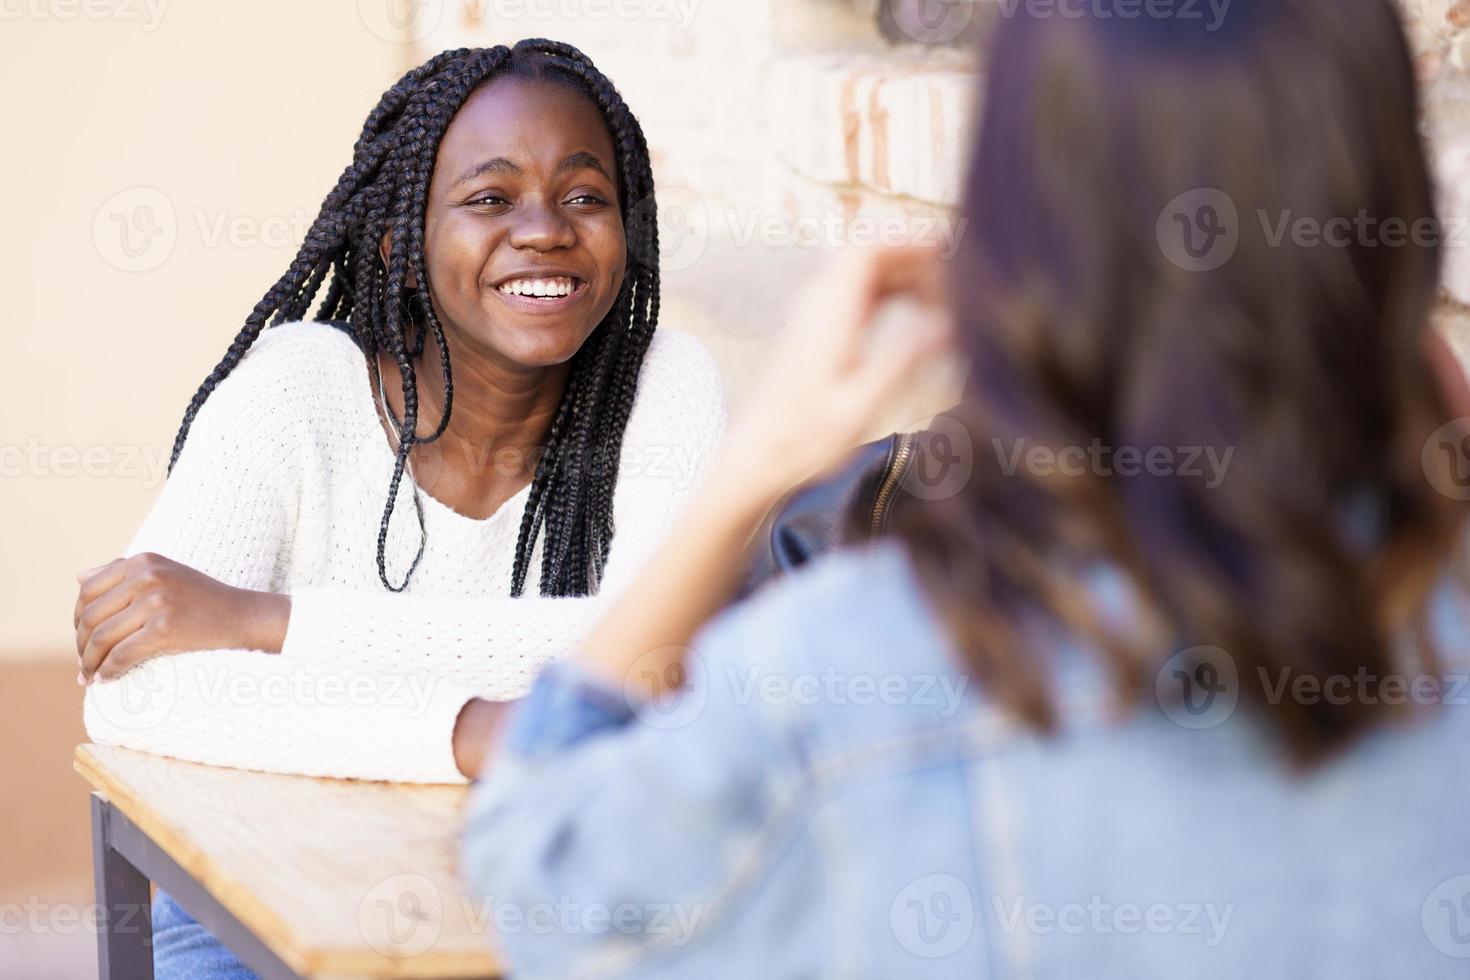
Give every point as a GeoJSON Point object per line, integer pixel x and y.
{"type": "Point", "coordinates": [825, 387]}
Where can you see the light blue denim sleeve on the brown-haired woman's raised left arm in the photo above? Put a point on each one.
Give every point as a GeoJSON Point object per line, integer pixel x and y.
{"type": "Point", "coordinates": [608, 835]}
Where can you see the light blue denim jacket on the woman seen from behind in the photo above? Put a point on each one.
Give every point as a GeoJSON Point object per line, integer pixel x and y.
{"type": "Point", "coordinates": [830, 797]}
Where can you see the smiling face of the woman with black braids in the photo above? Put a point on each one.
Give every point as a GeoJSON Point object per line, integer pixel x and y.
{"type": "Point", "coordinates": [524, 239]}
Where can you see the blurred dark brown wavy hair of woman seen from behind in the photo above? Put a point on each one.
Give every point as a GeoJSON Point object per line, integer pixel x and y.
{"type": "Point", "coordinates": [1090, 321]}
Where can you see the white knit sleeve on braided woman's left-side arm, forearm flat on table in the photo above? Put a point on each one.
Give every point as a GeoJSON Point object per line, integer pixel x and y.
{"type": "Point", "coordinates": [229, 511]}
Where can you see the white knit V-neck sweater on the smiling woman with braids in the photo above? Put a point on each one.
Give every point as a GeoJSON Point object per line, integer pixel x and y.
{"type": "Point", "coordinates": [282, 487]}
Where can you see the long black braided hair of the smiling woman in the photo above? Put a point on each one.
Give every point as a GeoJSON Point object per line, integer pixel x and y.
{"type": "Point", "coordinates": [384, 190]}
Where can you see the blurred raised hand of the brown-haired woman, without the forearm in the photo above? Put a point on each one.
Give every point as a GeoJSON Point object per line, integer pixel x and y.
{"type": "Point", "coordinates": [828, 375]}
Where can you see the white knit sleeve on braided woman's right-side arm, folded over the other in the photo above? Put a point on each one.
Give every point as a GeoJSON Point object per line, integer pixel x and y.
{"type": "Point", "coordinates": [673, 436]}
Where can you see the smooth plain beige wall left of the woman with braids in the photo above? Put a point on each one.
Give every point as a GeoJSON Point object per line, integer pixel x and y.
{"type": "Point", "coordinates": [232, 121]}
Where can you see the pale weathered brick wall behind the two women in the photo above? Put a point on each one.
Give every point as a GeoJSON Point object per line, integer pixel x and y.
{"type": "Point", "coordinates": [781, 127]}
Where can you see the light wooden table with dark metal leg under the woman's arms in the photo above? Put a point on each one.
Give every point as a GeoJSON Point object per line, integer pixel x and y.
{"type": "Point", "coordinates": [301, 878]}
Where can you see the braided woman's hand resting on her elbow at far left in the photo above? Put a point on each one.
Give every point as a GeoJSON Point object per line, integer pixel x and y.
{"type": "Point", "coordinates": [148, 606]}
